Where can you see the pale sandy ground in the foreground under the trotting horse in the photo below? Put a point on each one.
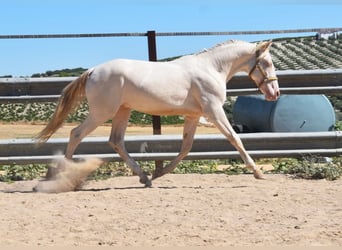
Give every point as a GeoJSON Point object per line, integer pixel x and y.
{"type": "Point", "coordinates": [179, 210]}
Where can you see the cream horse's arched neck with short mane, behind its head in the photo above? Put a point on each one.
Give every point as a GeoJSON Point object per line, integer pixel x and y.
{"type": "Point", "coordinates": [231, 59]}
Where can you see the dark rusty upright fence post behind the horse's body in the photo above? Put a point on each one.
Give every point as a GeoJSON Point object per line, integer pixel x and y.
{"type": "Point", "coordinates": [152, 56]}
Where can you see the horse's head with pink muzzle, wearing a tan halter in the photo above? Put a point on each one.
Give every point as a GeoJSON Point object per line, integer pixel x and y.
{"type": "Point", "coordinates": [262, 72]}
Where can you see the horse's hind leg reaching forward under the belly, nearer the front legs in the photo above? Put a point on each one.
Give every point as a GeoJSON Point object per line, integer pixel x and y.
{"type": "Point", "coordinates": [119, 125]}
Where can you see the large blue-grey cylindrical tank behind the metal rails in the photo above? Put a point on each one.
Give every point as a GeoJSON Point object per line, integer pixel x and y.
{"type": "Point", "coordinates": [290, 113]}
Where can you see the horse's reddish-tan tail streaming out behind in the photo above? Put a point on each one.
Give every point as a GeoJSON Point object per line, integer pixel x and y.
{"type": "Point", "coordinates": [72, 95]}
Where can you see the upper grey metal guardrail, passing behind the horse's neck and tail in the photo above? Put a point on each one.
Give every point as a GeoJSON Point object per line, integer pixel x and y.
{"type": "Point", "coordinates": [16, 90]}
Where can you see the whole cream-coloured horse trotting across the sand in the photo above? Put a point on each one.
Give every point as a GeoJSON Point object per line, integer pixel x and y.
{"type": "Point", "coordinates": [193, 86]}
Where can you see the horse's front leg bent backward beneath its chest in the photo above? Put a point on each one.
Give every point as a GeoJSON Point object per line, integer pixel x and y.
{"type": "Point", "coordinates": [189, 130]}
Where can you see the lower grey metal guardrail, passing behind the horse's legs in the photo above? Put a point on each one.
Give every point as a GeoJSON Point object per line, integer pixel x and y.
{"type": "Point", "coordinates": [165, 147]}
